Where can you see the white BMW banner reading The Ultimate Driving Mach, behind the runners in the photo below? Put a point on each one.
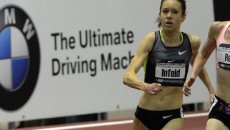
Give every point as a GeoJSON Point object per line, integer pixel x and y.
{"type": "Point", "coordinates": [61, 58]}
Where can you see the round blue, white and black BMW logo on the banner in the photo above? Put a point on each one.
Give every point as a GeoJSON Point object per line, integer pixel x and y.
{"type": "Point", "coordinates": [19, 58]}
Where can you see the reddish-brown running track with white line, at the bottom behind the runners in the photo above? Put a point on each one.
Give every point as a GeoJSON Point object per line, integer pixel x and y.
{"type": "Point", "coordinates": [193, 121]}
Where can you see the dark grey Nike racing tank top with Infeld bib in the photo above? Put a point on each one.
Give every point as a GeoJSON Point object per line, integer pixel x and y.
{"type": "Point", "coordinates": [168, 65]}
